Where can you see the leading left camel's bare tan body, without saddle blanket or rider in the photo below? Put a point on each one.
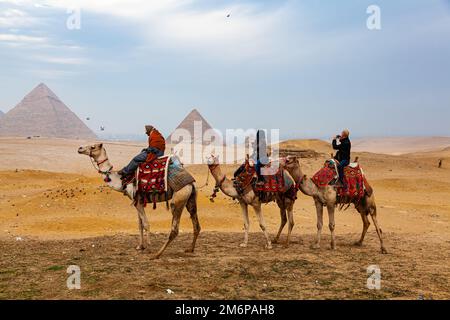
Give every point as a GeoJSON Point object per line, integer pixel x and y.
{"type": "Point", "coordinates": [185, 197]}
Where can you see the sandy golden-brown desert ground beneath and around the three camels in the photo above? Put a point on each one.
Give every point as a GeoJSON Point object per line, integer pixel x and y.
{"type": "Point", "coordinates": [54, 212]}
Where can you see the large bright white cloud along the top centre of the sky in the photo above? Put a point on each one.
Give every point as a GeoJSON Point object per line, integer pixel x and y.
{"type": "Point", "coordinates": [183, 25]}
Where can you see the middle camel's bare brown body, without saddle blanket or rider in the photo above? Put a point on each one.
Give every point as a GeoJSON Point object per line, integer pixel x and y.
{"type": "Point", "coordinates": [248, 197]}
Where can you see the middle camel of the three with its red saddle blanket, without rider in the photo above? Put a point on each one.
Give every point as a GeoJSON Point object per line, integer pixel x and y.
{"type": "Point", "coordinates": [249, 194]}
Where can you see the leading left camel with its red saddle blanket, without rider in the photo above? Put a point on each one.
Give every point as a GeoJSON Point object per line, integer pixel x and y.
{"type": "Point", "coordinates": [163, 180]}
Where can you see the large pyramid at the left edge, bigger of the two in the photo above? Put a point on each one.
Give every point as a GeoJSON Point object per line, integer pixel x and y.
{"type": "Point", "coordinates": [42, 113]}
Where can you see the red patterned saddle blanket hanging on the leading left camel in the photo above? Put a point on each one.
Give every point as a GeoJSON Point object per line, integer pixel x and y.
{"type": "Point", "coordinates": [152, 176]}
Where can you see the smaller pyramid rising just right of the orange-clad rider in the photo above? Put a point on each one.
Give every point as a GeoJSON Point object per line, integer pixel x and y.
{"type": "Point", "coordinates": [193, 119]}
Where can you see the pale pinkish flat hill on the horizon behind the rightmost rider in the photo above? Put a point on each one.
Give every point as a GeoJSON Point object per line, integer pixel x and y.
{"type": "Point", "coordinates": [402, 145]}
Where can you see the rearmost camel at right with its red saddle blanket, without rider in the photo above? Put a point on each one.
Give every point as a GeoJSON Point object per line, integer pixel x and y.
{"type": "Point", "coordinates": [322, 189]}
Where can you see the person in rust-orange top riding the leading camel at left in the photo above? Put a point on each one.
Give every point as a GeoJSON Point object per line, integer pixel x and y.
{"type": "Point", "coordinates": [156, 148]}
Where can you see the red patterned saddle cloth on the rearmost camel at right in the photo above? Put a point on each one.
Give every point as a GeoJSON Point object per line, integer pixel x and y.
{"type": "Point", "coordinates": [356, 185]}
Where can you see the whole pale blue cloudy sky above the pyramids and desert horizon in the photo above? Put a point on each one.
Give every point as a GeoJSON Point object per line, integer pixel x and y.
{"type": "Point", "coordinates": [309, 68]}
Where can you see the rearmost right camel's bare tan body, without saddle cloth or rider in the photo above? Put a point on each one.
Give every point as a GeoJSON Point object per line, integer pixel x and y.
{"type": "Point", "coordinates": [328, 197]}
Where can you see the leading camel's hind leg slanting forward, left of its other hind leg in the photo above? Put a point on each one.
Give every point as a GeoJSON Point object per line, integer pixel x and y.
{"type": "Point", "coordinates": [179, 201]}
